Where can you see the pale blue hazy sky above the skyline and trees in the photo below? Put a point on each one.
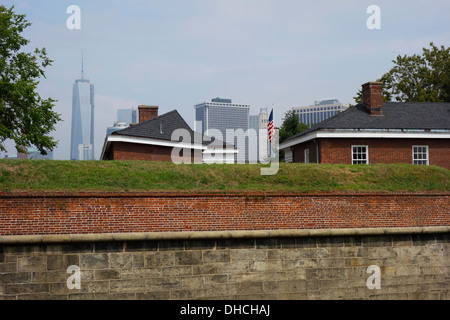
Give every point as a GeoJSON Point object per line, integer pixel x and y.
{"type": "Point", "coordinates": [177, 53]}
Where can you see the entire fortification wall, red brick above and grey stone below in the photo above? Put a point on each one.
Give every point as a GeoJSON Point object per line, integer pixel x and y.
{"type": "Point", "coordinates": [141, 246]}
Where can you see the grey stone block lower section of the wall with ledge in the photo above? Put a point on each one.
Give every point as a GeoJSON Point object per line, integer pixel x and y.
{"type": "Point", "coordinates": [281, 266]}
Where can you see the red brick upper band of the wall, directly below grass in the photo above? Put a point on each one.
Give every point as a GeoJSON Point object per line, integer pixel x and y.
{"type": "Point", "coordinates": [73, 213]}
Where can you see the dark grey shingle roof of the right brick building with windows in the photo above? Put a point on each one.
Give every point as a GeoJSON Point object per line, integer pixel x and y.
{"type": "Point", "coordinates": [396, 115]}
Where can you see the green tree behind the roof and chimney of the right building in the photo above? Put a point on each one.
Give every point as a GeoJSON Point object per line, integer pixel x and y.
{"type": "Point", "coordinates": [418, 78]}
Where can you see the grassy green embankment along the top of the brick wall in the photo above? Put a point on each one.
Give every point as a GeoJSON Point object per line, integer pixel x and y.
{"type": "Point", "coordinates": [48, 175]}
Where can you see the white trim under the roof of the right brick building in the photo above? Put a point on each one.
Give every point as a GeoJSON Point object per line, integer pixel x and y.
{"type": "Point", "coordinates": [364, 134]}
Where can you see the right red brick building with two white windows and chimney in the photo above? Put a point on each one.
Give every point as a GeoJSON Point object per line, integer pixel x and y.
{"type": "Point", "coordinates": [377, 132]}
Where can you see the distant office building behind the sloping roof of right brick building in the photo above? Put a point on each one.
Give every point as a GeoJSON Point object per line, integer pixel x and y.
{"type": "Point", "coordinates": [320, 111]}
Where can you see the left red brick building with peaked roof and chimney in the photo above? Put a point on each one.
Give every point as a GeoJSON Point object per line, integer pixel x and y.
{"type": "Point", "coordinates": [153, 139]}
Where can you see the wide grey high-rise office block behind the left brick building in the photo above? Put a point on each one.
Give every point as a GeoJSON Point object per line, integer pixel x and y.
{"type": "Point", "coordinates": [222, 114]}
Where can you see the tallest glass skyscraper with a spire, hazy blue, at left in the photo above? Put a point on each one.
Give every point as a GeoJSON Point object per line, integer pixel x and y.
{"type": "Point", "coordinates": [82, 138]}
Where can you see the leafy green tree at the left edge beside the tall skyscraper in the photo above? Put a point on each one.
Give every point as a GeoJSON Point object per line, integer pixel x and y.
{"type": "Point", "coordinates": [25, 117]}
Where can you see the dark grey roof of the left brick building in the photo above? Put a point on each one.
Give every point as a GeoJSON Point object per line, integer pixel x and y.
{"type": "Point", "coordinates": [161, 128]}
